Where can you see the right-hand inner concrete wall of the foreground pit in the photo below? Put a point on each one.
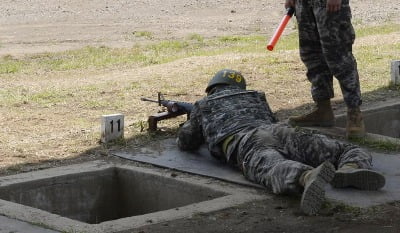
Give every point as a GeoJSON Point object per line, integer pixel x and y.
{"type": "Point", "coordinates": [141, 193]}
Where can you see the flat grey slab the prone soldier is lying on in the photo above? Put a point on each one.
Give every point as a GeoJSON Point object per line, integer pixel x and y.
{"type": "Point", "coordinates": [168, 155]}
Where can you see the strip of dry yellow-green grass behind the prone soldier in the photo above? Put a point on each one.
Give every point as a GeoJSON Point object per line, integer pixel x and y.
{"type": "Point", "coordinates": [51, 115]}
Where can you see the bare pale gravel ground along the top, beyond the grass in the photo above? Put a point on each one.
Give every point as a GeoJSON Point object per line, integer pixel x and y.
{"type": "Point", "coordinates": [31, 26]}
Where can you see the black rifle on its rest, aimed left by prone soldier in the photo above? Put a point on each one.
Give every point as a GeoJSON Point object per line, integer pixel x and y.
{"type": "Point", "coordinates": [174, 109]}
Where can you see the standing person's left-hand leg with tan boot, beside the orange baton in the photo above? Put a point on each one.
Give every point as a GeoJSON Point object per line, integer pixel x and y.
{"type": "Point", "coordinates": [318, 72]}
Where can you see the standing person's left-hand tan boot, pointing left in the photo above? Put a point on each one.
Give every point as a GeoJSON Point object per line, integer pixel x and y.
{"type": "Point", "coordinates": [322, 115]}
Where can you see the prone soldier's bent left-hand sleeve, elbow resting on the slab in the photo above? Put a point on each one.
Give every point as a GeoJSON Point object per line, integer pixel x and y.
{"type": "Point", "coordinates": [190, 135]}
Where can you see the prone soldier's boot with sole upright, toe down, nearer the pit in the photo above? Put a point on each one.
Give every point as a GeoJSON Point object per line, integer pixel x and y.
{"type": "Point", "coordinates": [314, 182]}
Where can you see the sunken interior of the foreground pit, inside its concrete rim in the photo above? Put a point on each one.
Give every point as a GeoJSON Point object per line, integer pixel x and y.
{"type": "Point", "coordinates": [108, 194]}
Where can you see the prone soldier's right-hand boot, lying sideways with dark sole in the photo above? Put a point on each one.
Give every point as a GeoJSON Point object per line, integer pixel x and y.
{"type": "Point", "coordinates": [350, 175]}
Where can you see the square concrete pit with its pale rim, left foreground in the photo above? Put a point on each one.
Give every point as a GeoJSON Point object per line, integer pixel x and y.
{"type": "Point", "coordinates": [102, 197]}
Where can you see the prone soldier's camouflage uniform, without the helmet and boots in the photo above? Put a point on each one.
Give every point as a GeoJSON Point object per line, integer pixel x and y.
{"type": "Point", "coordinates": [268, 153]}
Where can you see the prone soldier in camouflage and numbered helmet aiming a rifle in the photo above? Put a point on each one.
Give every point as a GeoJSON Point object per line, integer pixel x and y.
{"type": "Point", "coordinates": [239, 128]}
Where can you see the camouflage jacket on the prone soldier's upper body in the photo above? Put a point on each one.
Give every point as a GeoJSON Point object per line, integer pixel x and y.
{"type": "Point", "coordinates": [222, 114]}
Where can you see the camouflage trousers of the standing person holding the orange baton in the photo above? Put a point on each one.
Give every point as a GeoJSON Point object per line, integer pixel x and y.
{"type": "Point", "coordinates": [326, 50]}
